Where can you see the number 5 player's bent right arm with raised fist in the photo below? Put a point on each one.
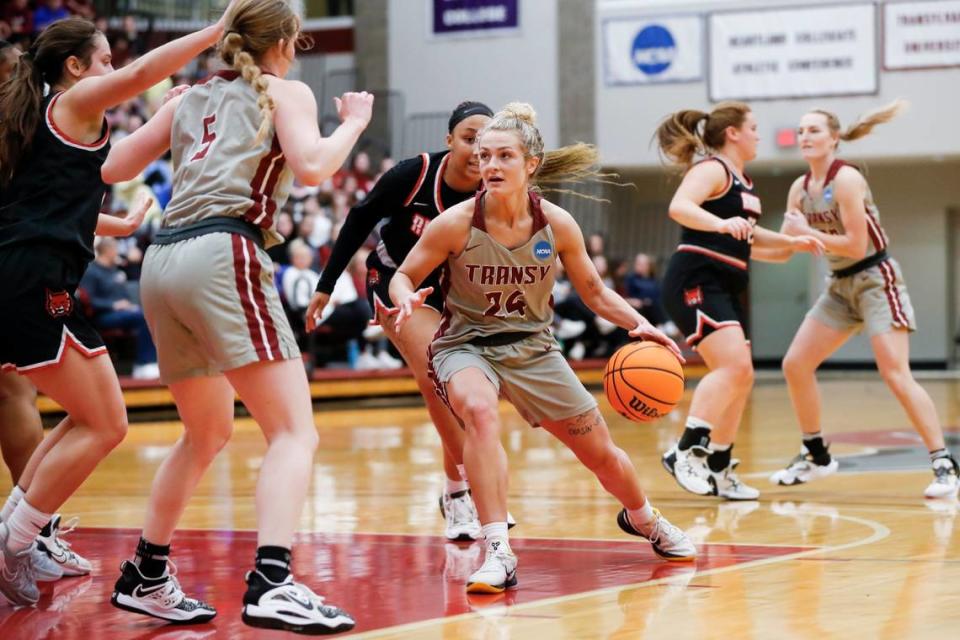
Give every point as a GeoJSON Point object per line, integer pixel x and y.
{"type": "Point", "coordinates": [310, 156]}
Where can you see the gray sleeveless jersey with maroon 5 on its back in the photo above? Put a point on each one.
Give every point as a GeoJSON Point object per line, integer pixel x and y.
{"type": "Point", "coordinates": [218, 170]}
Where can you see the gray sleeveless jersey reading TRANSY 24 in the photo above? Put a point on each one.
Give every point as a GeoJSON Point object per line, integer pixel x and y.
{"type": "Point", "coordinates": [491, 289]}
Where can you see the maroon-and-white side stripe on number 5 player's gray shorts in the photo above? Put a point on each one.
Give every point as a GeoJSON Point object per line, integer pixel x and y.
{"type": "Point", "coordinates": [246, 267]}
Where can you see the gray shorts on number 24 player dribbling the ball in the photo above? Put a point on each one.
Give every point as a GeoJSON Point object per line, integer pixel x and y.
{"type": "Point", "coordinates": [531, 373]}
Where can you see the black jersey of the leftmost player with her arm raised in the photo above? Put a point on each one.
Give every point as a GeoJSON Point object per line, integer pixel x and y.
{"type": "Point", "coordinates": [56, 194]}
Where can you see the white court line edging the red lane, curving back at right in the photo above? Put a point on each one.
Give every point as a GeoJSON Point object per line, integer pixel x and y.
{"type": "Point", "coordinates": [879, 533]}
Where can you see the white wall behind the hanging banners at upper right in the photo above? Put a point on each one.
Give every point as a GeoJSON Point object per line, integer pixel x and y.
{"type": "Point", "coordinates": [627, 116]}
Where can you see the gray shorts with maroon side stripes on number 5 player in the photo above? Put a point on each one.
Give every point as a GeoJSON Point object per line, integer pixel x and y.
{"type": "Point", "coordinates": [212, 306]}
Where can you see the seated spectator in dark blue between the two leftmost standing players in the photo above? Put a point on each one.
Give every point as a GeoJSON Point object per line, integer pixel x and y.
{"type": "Point", "coordinates": [105, 286]}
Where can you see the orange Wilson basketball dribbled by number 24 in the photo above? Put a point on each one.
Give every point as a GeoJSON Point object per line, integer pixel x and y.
{"type": "Point", "coordinates": [643, 381]}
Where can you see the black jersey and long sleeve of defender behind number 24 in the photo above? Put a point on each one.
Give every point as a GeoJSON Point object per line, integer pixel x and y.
{"type": "Point", "coordinates": [408, 196]}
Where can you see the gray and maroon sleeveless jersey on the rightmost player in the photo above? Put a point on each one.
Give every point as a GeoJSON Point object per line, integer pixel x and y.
{"type": "Point", "coordinates": [823, 214]}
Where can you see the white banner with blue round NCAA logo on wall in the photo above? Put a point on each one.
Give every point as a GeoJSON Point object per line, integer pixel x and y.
{"type": "Point", "coordinates": [652, 50]}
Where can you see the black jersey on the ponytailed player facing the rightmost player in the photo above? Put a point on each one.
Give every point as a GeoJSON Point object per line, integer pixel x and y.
{"type": "Point", "coordinates": [737, 200]}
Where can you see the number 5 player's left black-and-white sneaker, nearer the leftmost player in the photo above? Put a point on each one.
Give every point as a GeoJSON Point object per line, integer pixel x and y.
{"type": "Point", "coordinates": [158, 597]}
